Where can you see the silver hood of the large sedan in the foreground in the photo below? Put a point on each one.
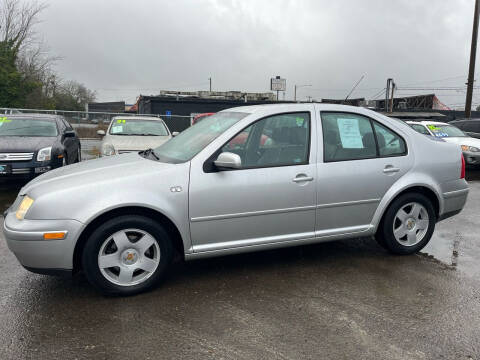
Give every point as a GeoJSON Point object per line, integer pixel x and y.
{"type": "Point", "coordinates": [92, 172]}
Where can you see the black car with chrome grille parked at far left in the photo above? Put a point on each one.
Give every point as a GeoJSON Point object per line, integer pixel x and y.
{"type": "Point", "coordinates": [31, 144]}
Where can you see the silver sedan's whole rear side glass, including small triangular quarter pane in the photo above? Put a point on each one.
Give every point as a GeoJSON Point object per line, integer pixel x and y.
{"type": "Point", "coordinates": [349, 136]}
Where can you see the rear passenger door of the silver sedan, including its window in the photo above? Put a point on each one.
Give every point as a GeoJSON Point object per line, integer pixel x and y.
{"type": "Point", "coordinates": [359, 161]}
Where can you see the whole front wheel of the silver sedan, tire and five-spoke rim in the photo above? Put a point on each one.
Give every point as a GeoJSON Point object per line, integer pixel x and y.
{"type": "Point", "coordinates": [127, 255]}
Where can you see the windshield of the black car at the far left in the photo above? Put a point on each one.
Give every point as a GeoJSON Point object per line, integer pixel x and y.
{"type": "Point", "coordinates": [27, 127]}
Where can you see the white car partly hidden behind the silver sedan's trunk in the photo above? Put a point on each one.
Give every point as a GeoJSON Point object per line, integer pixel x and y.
{"type": "Point", "coordinates": [470, 146]}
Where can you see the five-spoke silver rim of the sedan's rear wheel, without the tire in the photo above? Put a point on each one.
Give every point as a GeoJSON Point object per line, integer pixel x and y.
{"type": "Point", "coordinates": [410, 224]}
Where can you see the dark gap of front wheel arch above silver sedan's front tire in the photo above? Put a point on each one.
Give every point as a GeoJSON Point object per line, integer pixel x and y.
{"type": "Point", "coordinates": [155, 215]}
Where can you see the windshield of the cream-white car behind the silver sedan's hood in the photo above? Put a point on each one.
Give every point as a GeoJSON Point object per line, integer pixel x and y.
{"type": "Point", "coordinates": [138, 127]}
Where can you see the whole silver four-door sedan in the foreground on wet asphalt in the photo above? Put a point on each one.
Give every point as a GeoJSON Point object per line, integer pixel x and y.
{"type": "Point", "coordinates": [330, 172]}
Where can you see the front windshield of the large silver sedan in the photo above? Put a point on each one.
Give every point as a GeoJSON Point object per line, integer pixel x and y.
{"type": "Point", "coordinates": [191, 141]}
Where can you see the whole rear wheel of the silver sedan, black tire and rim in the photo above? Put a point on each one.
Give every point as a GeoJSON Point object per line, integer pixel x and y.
{"type": "Point", "coordinates": [407, 225]}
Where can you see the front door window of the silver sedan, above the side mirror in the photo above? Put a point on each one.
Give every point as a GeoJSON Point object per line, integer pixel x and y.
{"type": "Point", "coordinates": [274, 141]}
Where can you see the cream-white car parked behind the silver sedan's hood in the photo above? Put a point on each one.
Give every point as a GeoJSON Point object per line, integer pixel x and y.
{"type": "Point", "coordinates": [133, 134]}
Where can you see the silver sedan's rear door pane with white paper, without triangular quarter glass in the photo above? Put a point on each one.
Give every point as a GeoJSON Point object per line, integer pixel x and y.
{"type": "Point", "coordinates": [347, 137]}
